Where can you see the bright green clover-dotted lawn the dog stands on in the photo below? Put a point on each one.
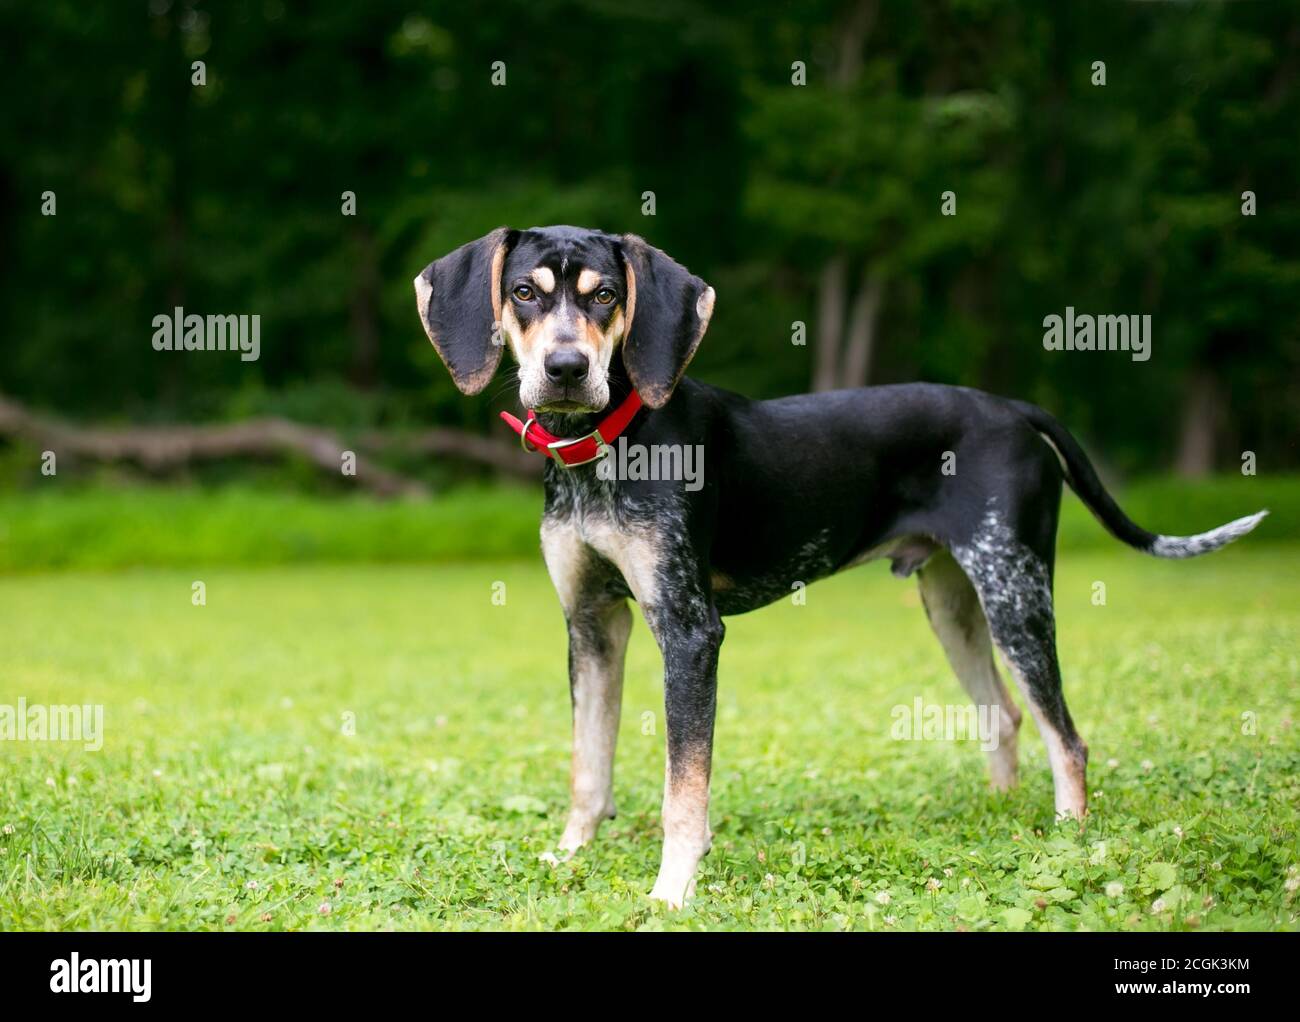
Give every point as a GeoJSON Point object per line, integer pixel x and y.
{"type": "Point", "coordinates": [229, 796]}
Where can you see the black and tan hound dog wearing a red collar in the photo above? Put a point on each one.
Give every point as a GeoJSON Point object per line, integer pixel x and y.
{"type": "Point", "coordinates": [959, 487]}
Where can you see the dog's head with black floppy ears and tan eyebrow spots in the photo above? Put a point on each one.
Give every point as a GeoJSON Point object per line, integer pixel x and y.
{"type": "Point", "coordinates": [567, 301]}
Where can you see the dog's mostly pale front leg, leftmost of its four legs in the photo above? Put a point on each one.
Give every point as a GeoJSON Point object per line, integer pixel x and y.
{"type": "Point", "coordinates": [599, 643]}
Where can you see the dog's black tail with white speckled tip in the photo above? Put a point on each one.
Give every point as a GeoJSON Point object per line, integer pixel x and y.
{"type": "Point", "coordinates": [1084, 480]}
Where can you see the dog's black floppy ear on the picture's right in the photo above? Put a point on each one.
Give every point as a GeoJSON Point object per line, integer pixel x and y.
{"type": "Point", "coordinates": [668, 315]}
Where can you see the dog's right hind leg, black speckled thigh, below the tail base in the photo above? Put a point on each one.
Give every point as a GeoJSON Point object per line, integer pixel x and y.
{"type": "Point", "coordinates": [1015, 587]}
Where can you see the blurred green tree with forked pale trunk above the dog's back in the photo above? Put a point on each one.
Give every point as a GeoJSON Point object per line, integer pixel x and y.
{"type": "Point", "coordinates": [863, 170]}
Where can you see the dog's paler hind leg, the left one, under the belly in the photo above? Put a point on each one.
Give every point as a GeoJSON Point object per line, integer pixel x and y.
{"type": "Point", "coordinates": [957, 618]}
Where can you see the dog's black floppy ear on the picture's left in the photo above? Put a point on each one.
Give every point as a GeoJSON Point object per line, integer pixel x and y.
{"type": "Point", "coordinates": [460, 301]}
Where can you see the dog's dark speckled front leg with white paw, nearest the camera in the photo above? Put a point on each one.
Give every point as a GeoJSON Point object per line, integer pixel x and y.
{"type": "Point", "coordinates": [690, 644]}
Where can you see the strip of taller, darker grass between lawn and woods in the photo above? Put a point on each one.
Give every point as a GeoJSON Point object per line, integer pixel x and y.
{"type": "Point", "coordinates": [63, 527]}
